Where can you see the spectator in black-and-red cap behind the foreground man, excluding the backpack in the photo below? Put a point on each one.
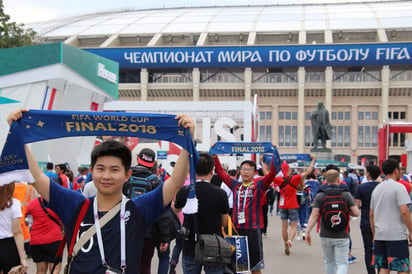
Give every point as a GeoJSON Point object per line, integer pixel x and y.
{"type": "Point", "coordinates": [158, 234]}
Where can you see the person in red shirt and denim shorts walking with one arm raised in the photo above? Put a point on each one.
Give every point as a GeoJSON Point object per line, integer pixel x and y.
{"type": "Point", "coordinates": [288, 203]}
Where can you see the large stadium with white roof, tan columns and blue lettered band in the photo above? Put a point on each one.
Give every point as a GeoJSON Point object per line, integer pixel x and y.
{"type": "Point", "coordinates": [356, 57]}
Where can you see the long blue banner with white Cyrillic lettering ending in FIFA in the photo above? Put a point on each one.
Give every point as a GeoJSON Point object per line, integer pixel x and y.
{"type": "Point", "coordinates": [260, 56]}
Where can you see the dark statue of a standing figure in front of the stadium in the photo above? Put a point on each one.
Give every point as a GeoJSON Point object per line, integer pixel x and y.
{"type": "Point", "coordinates": [321, 127]}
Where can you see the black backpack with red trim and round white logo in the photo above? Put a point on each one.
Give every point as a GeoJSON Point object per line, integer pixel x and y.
{"type": "Point", "coordinates": [334, 210]}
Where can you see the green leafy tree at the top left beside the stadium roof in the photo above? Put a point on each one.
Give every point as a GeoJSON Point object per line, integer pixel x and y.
{"type": "Point", "coordinates": [12, 34]}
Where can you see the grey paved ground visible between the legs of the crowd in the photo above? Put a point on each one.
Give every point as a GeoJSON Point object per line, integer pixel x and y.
{"type": "Point", "coordinates": [303, 259]}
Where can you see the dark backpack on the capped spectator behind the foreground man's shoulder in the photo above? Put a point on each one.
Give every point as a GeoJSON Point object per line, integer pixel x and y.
{"type": "Point", "coordinates": [137, 186]}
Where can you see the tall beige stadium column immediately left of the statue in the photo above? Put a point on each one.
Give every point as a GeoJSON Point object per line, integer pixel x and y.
{"type": "Point", "coordinates": [301, 109]}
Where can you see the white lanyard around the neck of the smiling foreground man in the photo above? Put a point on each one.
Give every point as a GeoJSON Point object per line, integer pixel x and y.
{"type": "Point", "coordinates": [122, 235]}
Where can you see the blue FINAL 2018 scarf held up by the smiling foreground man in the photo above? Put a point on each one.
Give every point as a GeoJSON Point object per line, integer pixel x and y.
{"type": "Point", "coordinates": [38, 125]}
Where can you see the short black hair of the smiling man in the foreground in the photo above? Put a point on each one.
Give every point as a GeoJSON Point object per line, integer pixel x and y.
{"type": "Point", "coordinates": [112, 148]}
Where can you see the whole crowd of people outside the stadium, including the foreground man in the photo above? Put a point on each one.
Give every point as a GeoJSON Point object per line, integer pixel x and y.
{"type": "Point", "coordinates": [130, 222]}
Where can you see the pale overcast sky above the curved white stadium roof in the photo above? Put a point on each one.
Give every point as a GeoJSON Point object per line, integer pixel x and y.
{"type": "Point", "coordinates": [28, 11]}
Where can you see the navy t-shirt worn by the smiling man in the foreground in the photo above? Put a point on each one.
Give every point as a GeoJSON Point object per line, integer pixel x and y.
{"type": "Point", "coordinates": [140, 213]}
